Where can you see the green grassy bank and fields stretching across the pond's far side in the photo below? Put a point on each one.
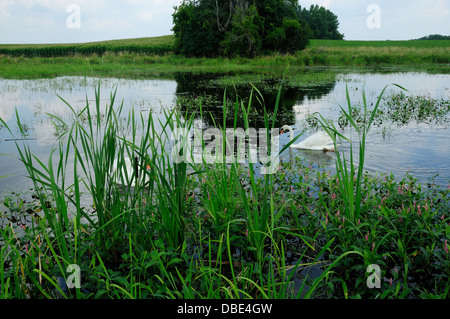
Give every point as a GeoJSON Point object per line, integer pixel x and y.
{"type": "Point", "coordinates": [152, 57]}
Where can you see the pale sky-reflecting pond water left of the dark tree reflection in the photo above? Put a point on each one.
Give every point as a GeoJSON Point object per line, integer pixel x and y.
{"type": "Point", "coordinates": [35, 99]}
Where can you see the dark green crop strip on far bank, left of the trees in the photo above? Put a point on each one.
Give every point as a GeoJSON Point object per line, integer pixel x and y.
{"type": "Point", "coordinates": [68, 50]}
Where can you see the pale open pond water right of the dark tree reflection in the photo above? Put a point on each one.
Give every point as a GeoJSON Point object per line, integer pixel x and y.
{"type": "Point", "coordinates": [422, 149]}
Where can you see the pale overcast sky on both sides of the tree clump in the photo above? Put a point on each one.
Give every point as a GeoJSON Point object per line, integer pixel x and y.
{"type": "Point", "coordinates": [70, 21]}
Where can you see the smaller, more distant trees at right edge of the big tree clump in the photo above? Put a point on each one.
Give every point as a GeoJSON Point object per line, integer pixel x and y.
{"type": "Point", "coordinates": [322, 23]}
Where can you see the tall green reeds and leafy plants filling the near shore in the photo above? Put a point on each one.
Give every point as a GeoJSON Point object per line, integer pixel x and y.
{"type": "Point", "coordinates": [215, 230]}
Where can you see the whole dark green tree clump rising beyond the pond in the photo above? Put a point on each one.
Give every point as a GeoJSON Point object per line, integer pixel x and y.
{"type": "Point", "coordinates": [249, 27]}
